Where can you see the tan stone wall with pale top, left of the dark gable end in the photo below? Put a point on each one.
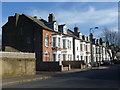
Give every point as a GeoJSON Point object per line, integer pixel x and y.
{"type": "Point", "coordinates": [16, 64]}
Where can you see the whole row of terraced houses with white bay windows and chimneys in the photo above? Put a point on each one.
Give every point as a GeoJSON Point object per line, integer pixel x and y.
{"type": "Point", "coordinates": [54, 45]}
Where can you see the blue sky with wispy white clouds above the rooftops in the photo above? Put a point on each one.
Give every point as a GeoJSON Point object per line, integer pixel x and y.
{"type": "Point", "coordinates": [84, 15]}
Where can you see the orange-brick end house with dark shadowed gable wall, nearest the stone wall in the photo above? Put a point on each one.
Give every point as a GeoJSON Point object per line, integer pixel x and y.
{"type": "Point", "coordinates": [23, 33]}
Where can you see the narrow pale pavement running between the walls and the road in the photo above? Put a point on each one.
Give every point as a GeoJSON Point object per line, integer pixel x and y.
{"type": "Point", "coordinates": [41, 75]}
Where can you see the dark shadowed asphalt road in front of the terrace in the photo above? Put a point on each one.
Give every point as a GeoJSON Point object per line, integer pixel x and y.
{"type": "Point", "coordinates": [94, 78]}
